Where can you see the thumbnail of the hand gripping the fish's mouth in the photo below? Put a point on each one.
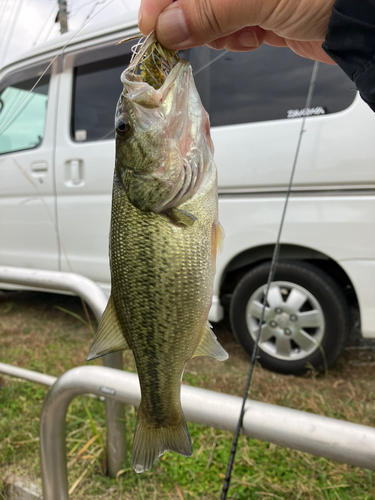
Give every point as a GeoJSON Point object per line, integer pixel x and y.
{"type": "Point", "coordinates": [171, 28]}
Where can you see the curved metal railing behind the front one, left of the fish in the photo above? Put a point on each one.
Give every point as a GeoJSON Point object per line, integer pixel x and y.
{"type": "Point", "coordinates": [96, 299]}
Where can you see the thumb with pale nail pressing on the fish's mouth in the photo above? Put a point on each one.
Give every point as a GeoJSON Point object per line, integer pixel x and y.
{"type": "Point", "coordinates": [189, 23]}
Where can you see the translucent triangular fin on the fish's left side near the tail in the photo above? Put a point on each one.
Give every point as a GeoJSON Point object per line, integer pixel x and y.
{"type": "Point", "coordinates": [109, 337]}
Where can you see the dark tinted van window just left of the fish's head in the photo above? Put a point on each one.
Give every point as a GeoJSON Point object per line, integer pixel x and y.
{"type": "Point", "coordinates": [97, 88]}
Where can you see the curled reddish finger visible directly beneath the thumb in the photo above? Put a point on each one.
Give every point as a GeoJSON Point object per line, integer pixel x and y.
{"type": "Point", "coordinates": [248, 38]}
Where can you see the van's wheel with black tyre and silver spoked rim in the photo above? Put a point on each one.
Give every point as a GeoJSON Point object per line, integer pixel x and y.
{"type": "Point", "coordinates": [306, 317]}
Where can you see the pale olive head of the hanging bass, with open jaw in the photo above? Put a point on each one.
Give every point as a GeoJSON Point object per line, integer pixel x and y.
{"type": "Point", "coordinates": [162, 139]}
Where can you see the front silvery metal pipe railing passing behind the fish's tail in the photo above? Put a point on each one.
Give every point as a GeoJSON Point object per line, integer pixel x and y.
{"type": "Point", "coordinates": [322, 436]}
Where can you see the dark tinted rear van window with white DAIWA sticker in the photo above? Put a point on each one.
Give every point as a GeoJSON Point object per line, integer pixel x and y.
{"type": "Point", "coordinates": [267, 84]}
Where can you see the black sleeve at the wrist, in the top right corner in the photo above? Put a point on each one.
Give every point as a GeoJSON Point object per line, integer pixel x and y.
{"type": "Point", "coordinates": [350, 42]}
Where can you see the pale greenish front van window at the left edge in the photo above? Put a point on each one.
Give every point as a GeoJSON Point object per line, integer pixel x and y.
{"type": "Point", "coordinates": [23, 115]}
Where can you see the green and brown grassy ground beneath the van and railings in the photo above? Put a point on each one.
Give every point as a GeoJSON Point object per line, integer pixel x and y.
{"type": "Point", "coordinates": [35, 334]}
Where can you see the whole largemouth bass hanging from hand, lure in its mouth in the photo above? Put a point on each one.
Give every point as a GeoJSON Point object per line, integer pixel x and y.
{"type": "Point", "coordinates": [164, 238]}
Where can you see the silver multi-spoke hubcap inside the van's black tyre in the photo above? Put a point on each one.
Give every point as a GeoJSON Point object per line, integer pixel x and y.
{"type": "Point", "coordinates": [293, 324]}
